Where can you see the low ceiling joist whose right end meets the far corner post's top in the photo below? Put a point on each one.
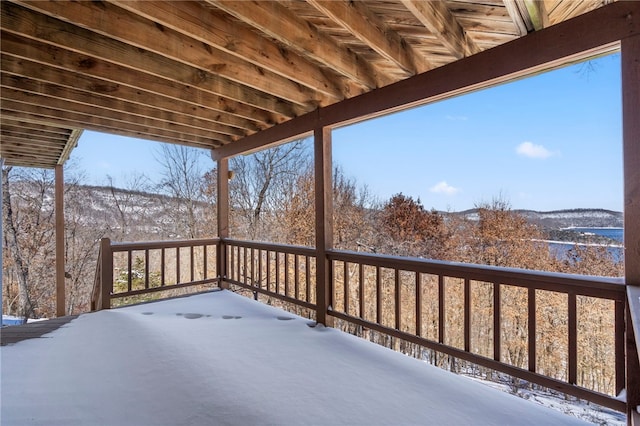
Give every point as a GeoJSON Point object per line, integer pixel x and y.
{"type": "Point", "coordinates": [97, 122]}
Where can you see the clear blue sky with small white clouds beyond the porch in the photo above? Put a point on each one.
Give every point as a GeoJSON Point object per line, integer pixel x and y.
{"type": "Point", "coordinates": [549, 142]}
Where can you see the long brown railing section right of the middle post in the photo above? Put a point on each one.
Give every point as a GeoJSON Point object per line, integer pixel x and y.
{"type": "Point", "coordinates": [397, 284]}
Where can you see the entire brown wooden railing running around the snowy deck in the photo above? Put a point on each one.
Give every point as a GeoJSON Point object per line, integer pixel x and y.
{"type": "Point", "coordinates": [445, 306]}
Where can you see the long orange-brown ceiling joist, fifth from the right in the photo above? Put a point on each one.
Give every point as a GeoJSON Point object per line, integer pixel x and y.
{"type": "Point", "coordinates": [207, 26]}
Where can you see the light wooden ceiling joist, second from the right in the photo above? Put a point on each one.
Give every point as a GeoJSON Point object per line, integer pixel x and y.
{"type": "Point", "coordinates": [435, 16]}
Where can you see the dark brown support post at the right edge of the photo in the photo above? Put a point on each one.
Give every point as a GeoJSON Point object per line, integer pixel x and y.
{"type": "Point", "coordinates": [631, 151]}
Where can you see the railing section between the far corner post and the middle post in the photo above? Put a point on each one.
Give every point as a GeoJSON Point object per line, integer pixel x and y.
{"type": "Point", "coordinates": [280, 271]}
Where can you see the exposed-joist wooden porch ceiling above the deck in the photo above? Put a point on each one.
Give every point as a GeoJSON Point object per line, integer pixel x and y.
{"type": "Point", "coordinates": [209, 73]}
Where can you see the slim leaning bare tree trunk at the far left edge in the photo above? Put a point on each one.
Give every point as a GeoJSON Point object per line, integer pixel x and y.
{"type": "Point", "coordinates": [25, 307]}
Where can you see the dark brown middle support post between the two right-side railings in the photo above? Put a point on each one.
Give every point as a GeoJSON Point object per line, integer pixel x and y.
{"type": "Point", "coordinates": [324, 223]}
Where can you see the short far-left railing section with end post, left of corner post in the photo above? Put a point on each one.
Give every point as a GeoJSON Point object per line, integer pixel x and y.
{"type": "Point", "coordinates": [140, 268]}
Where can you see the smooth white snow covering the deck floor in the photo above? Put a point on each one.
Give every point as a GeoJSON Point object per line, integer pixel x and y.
{"type": "Point", "coordinates": [222, 359]}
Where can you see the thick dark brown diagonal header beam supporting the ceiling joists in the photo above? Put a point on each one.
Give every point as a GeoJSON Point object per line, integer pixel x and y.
{"type": "Point", "coordinates": [557, 45]}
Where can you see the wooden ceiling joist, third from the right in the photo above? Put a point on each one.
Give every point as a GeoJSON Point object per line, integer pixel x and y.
{"type": "Point", "coordinates": [358, 19]}
